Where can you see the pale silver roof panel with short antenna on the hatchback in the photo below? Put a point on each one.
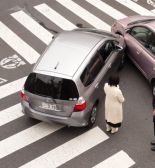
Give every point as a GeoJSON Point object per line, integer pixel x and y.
{"type": "Point", "coordinates": [67, 52]}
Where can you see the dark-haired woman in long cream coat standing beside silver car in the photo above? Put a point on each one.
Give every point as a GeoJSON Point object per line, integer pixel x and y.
{"type": "Point", "coordinates": [113, 104]}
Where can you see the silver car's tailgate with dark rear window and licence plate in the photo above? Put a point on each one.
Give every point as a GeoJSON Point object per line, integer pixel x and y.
{"type": "Point", "coordinates": [51, 95]}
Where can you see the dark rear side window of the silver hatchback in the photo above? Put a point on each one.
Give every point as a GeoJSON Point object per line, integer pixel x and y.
{"type": "Point", "coordinates": [92, 69]}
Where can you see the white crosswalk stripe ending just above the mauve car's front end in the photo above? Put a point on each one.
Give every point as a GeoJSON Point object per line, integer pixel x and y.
{"type": "Point", "coordinates": [107, 9]}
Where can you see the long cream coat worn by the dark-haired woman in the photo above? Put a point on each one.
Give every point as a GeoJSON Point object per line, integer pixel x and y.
{"type": "Point", "coordinates": [113, 104]}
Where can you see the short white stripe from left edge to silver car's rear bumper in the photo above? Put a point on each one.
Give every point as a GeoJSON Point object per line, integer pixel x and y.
{"type": "Point", "coordinates": [10, 114]}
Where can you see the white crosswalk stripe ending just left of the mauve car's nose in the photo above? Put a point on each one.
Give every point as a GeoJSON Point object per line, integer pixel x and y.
{"type": "Point", "coordinates": [84, 14]}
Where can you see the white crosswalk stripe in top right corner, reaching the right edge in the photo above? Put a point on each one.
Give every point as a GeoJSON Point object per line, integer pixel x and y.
{"type": "Point", "coordinates": [135, 7]}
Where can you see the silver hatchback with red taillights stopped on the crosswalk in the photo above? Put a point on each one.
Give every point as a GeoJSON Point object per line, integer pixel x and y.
{"type": "Point", "coordinates": [66, 81]}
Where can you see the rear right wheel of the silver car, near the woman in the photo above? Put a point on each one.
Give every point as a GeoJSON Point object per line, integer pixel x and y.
{"type": "Point", "coordinates": [92, 117]}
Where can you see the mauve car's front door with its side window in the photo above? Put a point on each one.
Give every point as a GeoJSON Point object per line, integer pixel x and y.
{"type": "Point", "coordinates": [138, 48]}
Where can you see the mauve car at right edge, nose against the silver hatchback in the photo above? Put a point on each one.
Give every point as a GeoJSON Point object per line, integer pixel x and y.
{"type": "Point", "coordinates": [139, 35]}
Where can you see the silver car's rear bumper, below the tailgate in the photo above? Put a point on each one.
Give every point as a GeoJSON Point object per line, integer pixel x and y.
{"type": "Point", "coordinates": [77, 119]}
